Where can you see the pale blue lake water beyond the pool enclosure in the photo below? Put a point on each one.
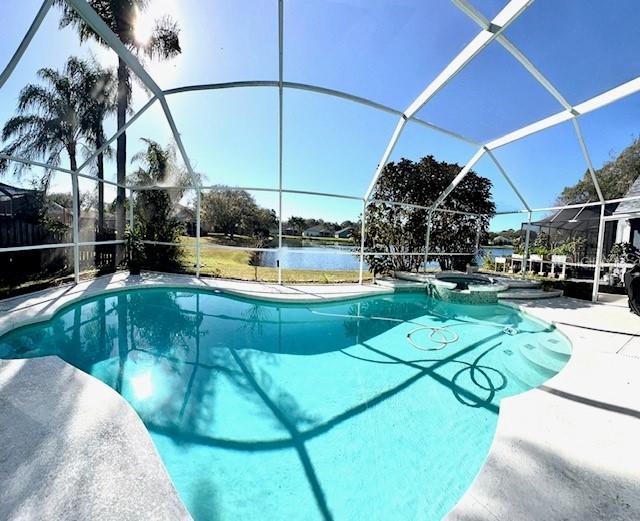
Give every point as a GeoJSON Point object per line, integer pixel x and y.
{"type": "Point", "coordinates": [336, 257]}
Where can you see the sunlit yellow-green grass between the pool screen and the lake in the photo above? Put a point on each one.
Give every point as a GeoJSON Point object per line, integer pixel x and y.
{"type": "Point", "coordinates": [234, 264]}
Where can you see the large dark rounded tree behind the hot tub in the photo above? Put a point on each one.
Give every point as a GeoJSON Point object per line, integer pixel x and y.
{"type": "Point", "coordinates": [402, 229]}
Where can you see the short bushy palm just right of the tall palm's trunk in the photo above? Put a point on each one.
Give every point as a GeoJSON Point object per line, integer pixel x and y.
{"type": "Point", "coordinates": [157, 166]}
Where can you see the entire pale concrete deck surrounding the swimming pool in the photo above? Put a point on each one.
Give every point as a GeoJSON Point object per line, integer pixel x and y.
{"type": "Point", "coordinates": [567, 450]}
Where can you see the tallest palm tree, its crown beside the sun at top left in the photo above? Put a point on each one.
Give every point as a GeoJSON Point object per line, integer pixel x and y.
{"type": "Point", "coordinates": [121, 16]}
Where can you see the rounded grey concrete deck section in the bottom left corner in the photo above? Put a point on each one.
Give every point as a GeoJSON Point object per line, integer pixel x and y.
{"type": "Point", "coordinates": [78, 450]}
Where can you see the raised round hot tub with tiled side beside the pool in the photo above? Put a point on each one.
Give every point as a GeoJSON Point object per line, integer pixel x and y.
{"type": "Point", "coordinates": [453, 286]}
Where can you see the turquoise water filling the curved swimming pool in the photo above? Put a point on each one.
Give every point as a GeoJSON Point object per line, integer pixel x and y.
{"type": "Point", "coordinates": [267, 411]}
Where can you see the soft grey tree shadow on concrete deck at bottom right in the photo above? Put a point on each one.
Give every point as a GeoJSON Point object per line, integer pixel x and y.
{"type": "Point", "coordinates": [547, 484]}
